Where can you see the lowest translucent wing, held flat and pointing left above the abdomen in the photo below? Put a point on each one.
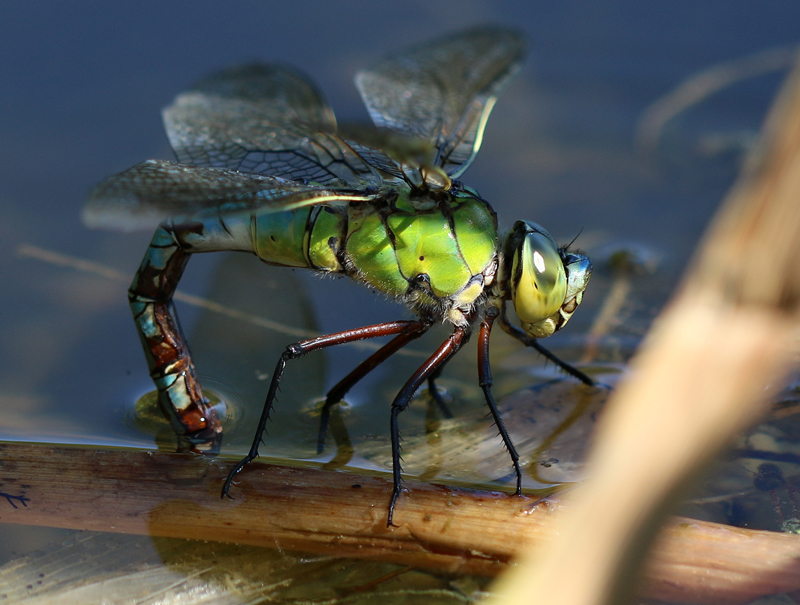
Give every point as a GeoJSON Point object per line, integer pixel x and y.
{"type": "Point", "coordinates": [155, 190]}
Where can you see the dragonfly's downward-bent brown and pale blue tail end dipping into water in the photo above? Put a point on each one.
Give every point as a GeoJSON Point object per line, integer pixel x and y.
{"type": "Point", "coordinates": [168, 357]}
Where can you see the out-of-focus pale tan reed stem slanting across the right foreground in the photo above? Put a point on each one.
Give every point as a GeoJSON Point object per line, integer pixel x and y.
{"type": "Point", "coordinates": [698, 380]}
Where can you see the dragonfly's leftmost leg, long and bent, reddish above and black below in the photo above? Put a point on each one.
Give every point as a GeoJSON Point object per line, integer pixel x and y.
{"type": "Point", "coordinates": [298, 349]}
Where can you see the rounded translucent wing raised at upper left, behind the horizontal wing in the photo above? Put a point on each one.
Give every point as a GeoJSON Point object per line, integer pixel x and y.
{"type": "Point", "coordinates": [265, 119]}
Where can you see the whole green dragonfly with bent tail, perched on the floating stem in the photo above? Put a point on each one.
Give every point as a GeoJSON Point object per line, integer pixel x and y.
{"type": "Point", "coordinates": [262, 168]}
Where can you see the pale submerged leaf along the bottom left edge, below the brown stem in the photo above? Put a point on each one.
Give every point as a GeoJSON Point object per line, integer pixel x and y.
{"type": "Point", "coordinates": [89, 568]}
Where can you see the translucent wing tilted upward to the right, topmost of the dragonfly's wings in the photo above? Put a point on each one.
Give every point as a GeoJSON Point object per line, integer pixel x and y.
{"type": "Point", "coordinates": [443, 92]}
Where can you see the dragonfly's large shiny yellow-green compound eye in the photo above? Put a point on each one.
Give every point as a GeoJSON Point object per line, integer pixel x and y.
{"type": "Point", "coordinates": [538, 279]}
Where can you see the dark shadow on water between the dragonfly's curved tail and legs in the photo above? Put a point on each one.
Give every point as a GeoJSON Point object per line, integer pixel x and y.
{"type": "Point", "coordinates": [236, 357]}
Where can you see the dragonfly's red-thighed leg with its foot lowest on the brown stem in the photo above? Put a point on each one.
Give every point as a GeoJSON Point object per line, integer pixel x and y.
{"type": "Point", "coordinates": [400, 403]}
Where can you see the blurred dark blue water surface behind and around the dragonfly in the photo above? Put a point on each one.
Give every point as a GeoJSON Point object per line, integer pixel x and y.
{"type": "Point", "coordinates": [590, 141]}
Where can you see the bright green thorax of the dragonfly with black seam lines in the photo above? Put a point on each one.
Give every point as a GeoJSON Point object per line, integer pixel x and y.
{"type": "Point", "coordinates": [437, 260]}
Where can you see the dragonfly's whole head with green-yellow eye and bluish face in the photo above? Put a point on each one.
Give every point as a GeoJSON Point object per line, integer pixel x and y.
{"type": "Point", "coordinates": [546, 282]}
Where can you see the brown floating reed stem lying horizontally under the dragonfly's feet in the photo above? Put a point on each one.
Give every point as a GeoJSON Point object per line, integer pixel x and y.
{"type": "Point", "coordinates": [341, 514]}
